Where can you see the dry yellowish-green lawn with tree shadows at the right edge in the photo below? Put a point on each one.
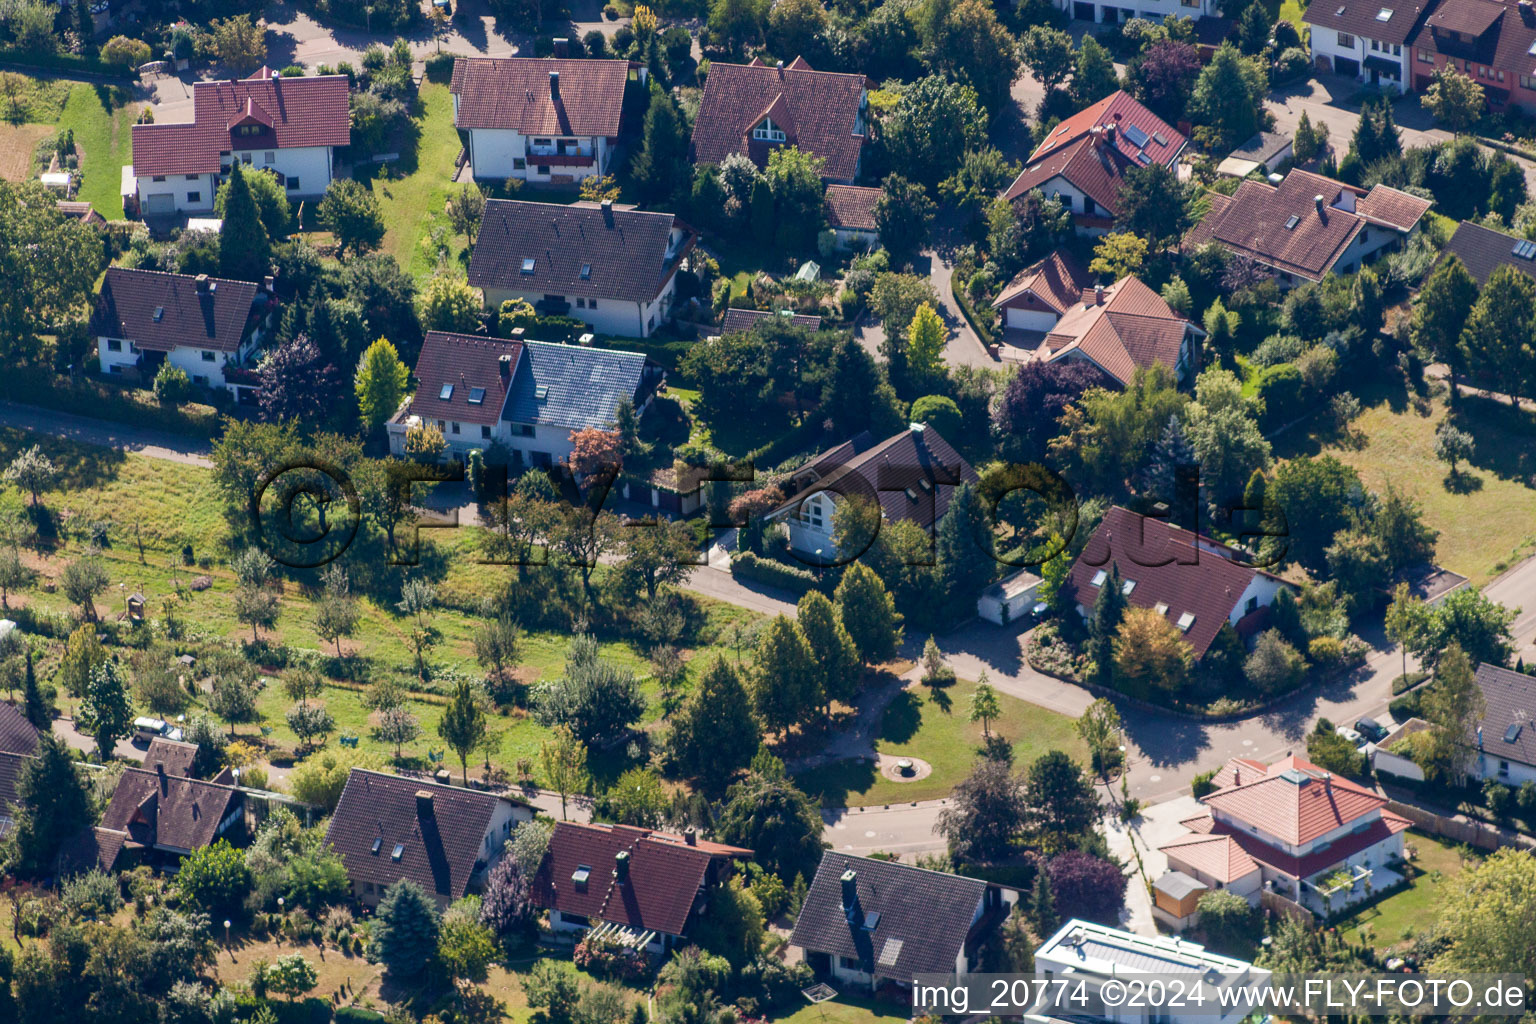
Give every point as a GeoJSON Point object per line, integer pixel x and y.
{"type": "Point", "coordinates": [1486, 518]}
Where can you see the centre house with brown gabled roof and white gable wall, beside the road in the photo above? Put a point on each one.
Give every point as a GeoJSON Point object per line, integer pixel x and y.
{"type": "Point", "coordinates": [910, 477]}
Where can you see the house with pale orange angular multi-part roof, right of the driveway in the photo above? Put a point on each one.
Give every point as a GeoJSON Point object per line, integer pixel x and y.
{"type": "Point", "coordinates": [1053, 311]}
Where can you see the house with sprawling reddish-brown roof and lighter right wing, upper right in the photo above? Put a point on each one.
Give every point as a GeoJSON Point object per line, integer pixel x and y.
{"type": "Point", "coordinates": [1309, 226]}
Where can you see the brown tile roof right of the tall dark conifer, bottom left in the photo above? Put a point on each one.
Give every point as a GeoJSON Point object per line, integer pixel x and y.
{"type": "Point", "coordinates": [170, 811]}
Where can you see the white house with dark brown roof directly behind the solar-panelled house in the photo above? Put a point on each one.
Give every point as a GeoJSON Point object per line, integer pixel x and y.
{"type": "Point", "coordinates": [612, 266]}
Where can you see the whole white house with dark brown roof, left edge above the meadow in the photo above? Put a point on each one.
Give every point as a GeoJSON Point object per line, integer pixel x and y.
{"type": "Point", "coordinates": [210, 328]}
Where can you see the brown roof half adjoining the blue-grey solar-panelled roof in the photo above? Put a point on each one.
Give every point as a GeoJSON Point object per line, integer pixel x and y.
{"type": "Point", "coordinates": [460, 366]}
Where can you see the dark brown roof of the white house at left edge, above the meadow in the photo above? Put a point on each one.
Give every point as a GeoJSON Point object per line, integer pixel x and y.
{"type": "Point", "coordinates": [168, 311]}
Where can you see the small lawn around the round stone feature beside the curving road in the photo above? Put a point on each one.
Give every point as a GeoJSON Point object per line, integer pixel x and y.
{"type": "Point", "coordinates": [933, 725]}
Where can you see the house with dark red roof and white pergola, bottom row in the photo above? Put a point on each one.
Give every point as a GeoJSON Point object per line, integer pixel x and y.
{"type": "Point", "coordinates": [640, 888]}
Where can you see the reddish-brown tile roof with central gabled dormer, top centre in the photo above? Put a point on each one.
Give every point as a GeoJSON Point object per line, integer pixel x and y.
{"type": "Point", "coordinates": [819, 111]}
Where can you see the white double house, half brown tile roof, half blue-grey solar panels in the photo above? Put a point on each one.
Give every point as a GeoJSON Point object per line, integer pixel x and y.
{"type": "Point", "coordinates": [528, 395]}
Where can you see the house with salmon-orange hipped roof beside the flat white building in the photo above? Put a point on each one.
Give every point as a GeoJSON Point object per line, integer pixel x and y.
{"type": "Point", "coordinates": [1314, 837]}
